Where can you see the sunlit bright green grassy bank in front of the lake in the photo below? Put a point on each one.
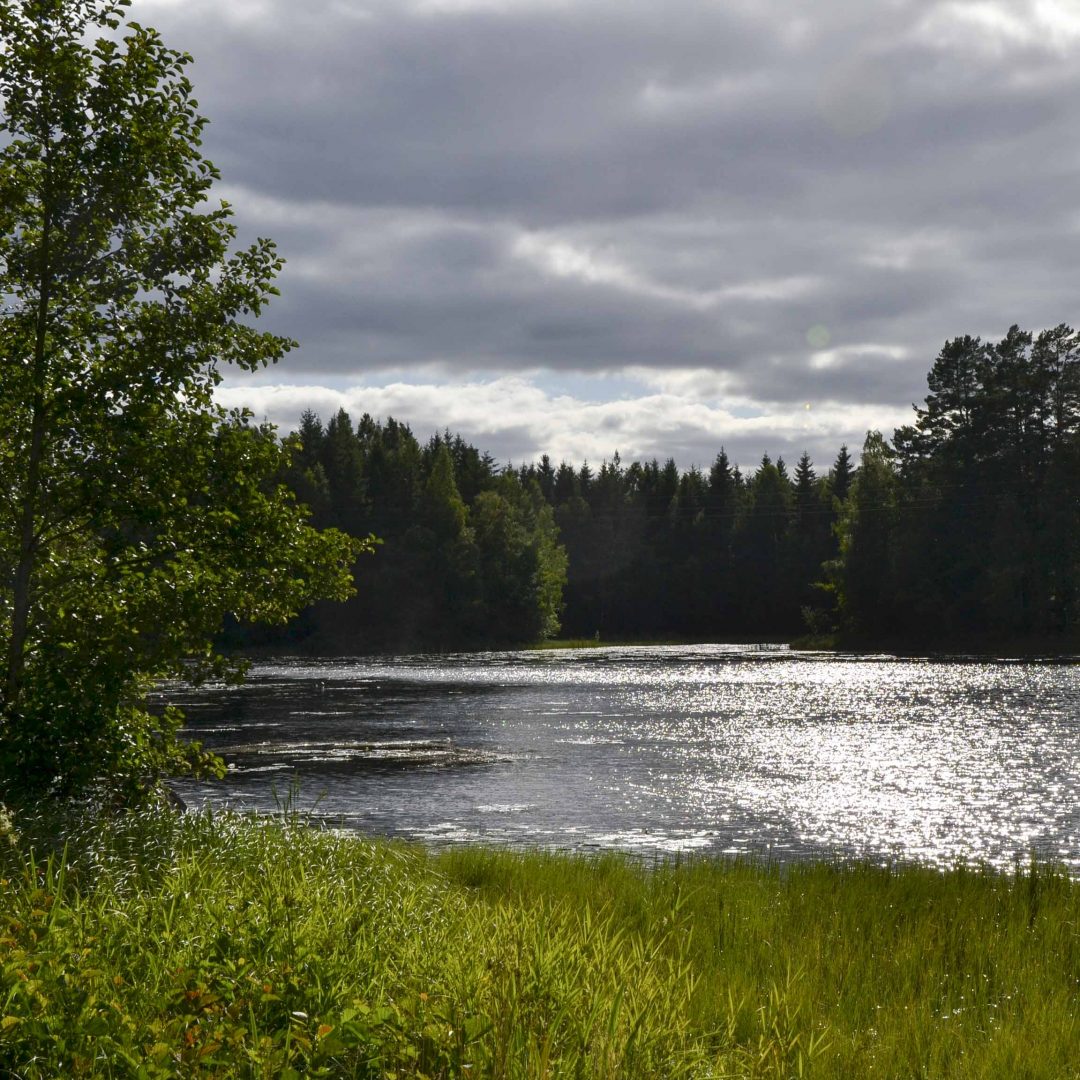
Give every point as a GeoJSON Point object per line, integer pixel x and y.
{"type": "Point", "coordinates": [219, 947]}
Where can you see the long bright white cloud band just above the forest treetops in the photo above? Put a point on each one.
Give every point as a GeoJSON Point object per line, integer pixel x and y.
{"type": "Point", "coordinates": [518, 421]}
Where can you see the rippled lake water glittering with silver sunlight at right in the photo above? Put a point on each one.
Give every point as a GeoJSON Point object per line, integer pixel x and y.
{"type": "Point", "coordinates": [727, 750]}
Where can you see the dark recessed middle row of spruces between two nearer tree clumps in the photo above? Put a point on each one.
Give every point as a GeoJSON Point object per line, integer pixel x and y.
{"type": "Point", "coordinates": [655, 552]}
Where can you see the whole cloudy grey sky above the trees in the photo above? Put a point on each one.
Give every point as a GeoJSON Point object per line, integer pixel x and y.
{"type": "Point", "coordinates": [653, 227]}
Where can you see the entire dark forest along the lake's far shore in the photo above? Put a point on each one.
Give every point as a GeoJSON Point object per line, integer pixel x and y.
{"type": "Point", "coordinates": [963, 530]}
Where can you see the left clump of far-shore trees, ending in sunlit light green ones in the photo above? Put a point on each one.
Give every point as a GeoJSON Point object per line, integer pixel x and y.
{"type": "Point", "coordinates": [469, 556]}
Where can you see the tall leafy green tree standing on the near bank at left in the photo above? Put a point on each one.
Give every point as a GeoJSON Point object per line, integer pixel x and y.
{"type": "Point", "coordinates": [137, 514]}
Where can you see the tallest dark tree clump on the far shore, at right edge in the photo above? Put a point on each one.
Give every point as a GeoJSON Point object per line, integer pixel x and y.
{"type": "Point", "coordinates": [968, 526]}
